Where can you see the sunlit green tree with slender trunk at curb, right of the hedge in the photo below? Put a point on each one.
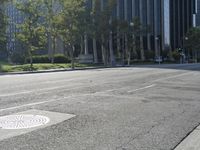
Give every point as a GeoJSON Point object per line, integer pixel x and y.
{"type": "Point", "coordinates": [69, 22]}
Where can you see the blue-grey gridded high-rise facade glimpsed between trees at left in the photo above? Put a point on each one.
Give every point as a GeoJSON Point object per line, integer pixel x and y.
{"type": "Point", "coordinates": [15, 18]}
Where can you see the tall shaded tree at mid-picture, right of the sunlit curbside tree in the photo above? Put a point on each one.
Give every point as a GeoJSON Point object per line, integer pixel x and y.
{"type": "Point", "coordinates": [102, 30]}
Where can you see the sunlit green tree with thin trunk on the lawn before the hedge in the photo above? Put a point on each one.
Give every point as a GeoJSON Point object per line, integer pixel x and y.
{"type": "Point", "coordinates": [31, 31]}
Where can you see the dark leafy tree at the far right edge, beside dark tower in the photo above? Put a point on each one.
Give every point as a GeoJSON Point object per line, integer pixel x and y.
{"type": "Point", "coordinates": [192, 42]}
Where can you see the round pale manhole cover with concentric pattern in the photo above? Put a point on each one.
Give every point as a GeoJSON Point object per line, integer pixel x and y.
{"type": "Point", "coordinates": [22, 121]}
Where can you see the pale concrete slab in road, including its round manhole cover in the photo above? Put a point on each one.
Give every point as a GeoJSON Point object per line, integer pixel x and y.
{"type": "Point", "coordinates": [28, 121]}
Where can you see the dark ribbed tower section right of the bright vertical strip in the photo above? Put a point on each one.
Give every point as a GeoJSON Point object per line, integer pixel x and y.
{"type": "Point", "coordinates": [182, 17]}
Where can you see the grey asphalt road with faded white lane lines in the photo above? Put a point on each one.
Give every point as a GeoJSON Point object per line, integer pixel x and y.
{"type": "Point", "coordinates": [137, 108]}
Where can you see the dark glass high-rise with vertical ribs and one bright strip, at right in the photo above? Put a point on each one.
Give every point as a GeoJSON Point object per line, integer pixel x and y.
{"type": "Point", "coordinates": [169, 20]}
